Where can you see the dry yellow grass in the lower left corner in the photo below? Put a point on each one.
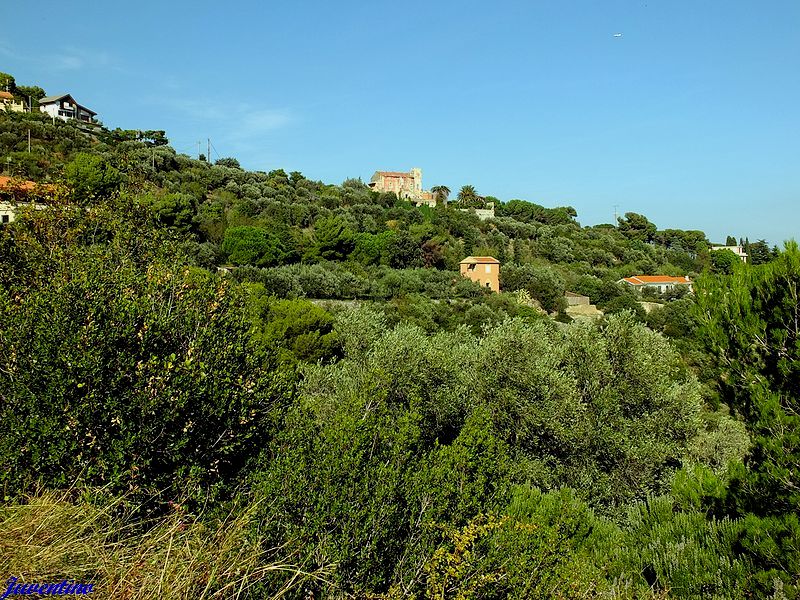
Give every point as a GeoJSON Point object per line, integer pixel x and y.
{"type": "Point", "coordinates": [50, 538]}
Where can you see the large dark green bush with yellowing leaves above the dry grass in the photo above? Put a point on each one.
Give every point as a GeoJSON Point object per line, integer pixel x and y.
{"type": "Point", "coordinates": [137, 375]}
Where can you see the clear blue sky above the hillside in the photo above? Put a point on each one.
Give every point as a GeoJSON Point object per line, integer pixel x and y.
{"type": "Point", "coordinates": [692, 117]}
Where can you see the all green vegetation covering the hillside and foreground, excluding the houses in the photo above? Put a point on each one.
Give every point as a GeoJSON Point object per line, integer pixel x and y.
{"type": "Point", "coordinates": [179, 419]}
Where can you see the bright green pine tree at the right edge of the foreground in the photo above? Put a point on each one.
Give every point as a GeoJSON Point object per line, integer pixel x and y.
{"type": "Point", "coordinates": [751, 324]}
